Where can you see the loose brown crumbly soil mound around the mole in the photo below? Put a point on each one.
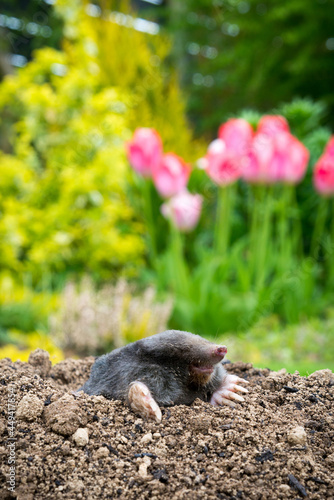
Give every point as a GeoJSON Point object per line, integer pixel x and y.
{"type": "Point", "coordinates": [277, 444]}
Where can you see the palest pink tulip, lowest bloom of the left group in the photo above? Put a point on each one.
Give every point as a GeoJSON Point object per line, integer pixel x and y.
{"type": "Point", "coordinates": [184, 210]}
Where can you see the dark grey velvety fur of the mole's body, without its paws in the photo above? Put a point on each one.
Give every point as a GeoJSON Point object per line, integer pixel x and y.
{"type": "Point", "coordinates": [164, 363]}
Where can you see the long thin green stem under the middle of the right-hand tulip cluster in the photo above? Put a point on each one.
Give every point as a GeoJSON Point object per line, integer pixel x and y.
{"type": "Point", "coordinates": [263, 239]}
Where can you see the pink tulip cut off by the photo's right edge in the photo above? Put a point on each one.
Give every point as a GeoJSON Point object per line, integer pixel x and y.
{"type": "Point", "coordinates": [323, 176]}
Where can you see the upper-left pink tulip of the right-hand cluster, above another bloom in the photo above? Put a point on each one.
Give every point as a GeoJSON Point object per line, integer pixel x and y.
{"type": "Point", "coordinates": [237, 135]}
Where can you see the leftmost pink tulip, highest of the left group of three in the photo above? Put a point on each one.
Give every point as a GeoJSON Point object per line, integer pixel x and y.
{"type": "Point", "coordinates": [144, 151]}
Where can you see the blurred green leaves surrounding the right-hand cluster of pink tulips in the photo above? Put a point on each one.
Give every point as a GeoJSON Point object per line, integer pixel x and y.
{"type": "Point", "coordinates": [221, 294]}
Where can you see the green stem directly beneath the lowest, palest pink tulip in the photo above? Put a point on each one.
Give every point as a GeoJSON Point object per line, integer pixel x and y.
{"type": "Point", "coordinates": [180, 273]}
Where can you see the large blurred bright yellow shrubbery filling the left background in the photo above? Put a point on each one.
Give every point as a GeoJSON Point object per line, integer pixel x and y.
{"type": "Point", "coordinates": [64, 118]}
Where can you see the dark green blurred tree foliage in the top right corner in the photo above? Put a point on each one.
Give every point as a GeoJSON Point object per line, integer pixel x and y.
{"type": "Point", "coordinates": [239, 53]}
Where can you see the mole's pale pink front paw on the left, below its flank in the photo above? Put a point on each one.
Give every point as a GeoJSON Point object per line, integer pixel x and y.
{"type": "Point", "coordinates": [141, 401]}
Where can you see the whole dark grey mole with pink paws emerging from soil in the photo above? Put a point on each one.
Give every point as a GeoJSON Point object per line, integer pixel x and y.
{"type": "Point", "coordinates": [169, 368]}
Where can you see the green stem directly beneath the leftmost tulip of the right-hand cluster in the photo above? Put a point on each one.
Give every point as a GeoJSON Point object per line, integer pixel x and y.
{"type": "Point", "coordinates": [223, 220]}
